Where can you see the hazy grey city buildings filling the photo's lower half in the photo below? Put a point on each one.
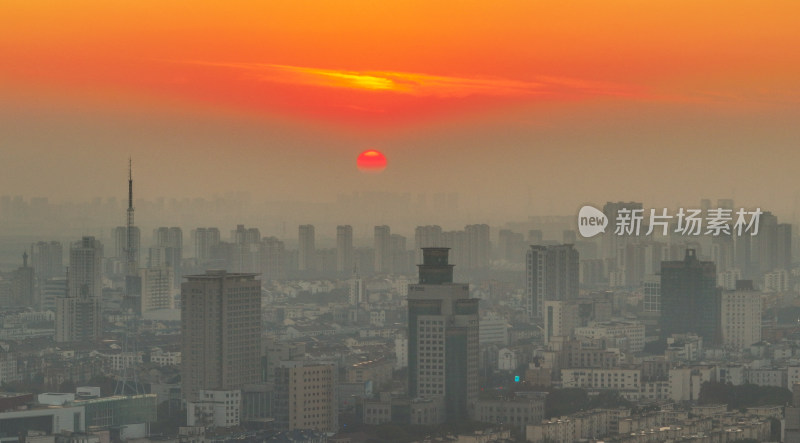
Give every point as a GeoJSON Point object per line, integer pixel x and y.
{"type": "Point", "coordinates": [252, 336]}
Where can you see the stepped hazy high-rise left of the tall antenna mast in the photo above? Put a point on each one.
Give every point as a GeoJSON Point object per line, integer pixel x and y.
{"type": "Point", "coordinates": [78, 314]}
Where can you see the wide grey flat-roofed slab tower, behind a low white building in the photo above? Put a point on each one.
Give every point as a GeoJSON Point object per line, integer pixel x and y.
{"type": "Point", "coordinates": [221, 332]}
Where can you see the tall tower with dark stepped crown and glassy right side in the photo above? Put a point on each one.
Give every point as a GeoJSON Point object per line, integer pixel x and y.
{"type": "Point", "coordinates": [443, 337]}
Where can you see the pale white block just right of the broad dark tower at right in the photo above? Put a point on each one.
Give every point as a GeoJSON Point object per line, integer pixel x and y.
{"type": "Point", "coordinates": [741, 319]}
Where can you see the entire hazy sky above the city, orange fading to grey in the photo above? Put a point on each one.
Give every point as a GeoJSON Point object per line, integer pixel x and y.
{"type": "Point", "coordinates": [514, 99]}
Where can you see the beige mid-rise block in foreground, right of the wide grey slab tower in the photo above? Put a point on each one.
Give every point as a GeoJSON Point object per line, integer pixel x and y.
{"type": "Point", "coordinates": [305, 396]}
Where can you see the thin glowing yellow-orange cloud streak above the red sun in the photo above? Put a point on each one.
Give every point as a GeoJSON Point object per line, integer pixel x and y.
{"type": "Point", "coordinates": [423, 85]}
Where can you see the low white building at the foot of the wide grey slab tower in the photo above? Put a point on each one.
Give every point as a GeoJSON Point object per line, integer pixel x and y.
{"type": "Point", "coordinates": [215, 408]}
